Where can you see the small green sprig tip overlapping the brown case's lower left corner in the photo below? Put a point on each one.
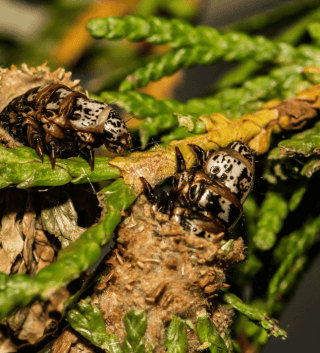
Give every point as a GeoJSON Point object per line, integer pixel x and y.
{"type": "Point", "coordinates": [88, 320]}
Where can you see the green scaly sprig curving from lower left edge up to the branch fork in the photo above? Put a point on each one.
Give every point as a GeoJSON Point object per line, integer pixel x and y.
{"type": "Point", "coordinates": [21, 290]}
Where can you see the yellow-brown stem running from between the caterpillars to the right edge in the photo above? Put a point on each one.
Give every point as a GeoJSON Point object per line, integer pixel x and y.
{"type": "Point", "coordinates": [256, 129]}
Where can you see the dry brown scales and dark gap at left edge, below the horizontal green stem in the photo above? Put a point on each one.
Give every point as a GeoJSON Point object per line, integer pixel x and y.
{"type": "Point", "coordinates": [24, 247]}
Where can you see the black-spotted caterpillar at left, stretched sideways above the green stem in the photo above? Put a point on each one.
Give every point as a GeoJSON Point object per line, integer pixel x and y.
{"type": "Point", "coordinates": [56, 120]}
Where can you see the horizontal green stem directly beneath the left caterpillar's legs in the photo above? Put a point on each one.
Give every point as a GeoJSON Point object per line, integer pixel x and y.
{"type": "Point", "coordinates": [22, 167]}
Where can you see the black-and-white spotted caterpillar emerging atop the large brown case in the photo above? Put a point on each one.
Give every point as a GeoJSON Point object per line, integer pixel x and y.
{"type": "Point", "coordinates": [207, 199]}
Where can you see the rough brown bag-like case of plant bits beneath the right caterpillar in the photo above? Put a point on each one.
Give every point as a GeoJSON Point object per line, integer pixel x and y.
{"type": "Point", "coordinates": [160, 268]}
